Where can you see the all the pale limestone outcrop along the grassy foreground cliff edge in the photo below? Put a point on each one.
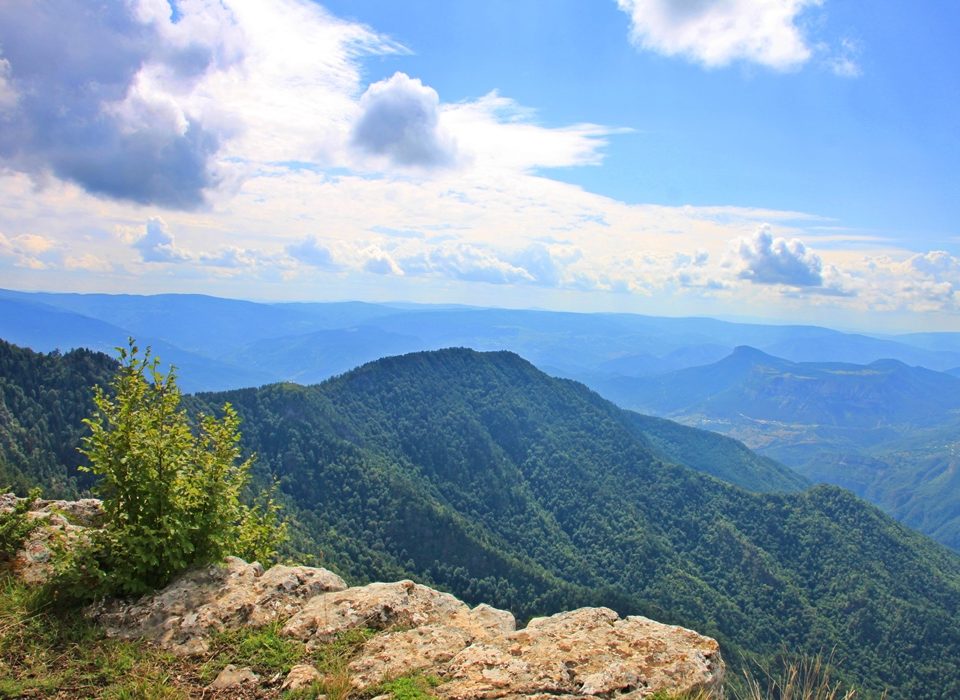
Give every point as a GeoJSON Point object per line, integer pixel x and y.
{"type": "Point", "coordinates": [474, 652]}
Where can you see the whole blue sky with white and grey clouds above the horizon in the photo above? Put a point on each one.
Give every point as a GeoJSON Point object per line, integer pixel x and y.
{"type": "Point", "coordinates": [776, 160]}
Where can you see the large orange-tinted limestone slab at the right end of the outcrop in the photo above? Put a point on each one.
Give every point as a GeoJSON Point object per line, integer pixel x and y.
{"type": "Point", "coordinates": [586, 652]}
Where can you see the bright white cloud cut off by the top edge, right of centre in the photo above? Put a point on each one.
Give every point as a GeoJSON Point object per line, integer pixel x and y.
{"type": "Point", "coordinates": [718, 32]}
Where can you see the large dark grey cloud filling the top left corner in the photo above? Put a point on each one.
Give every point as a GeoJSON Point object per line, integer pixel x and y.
{"type": "Point", "coordinates": [69, 117]}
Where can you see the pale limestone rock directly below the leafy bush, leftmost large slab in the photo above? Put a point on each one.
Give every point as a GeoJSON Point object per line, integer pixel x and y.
{"type": "Point", "coordinates": [235, 593]}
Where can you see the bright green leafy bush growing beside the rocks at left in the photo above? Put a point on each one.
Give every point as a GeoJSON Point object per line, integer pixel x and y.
{"type": "Point", "coordinates": [171, 495]}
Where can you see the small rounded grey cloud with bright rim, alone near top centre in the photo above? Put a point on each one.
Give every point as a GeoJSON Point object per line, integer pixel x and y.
{"type": "Point", "coordinates": [400, 119]}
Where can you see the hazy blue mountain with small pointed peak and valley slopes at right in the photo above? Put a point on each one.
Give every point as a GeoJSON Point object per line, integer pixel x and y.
{"type": "Point", "coordinates": [884, 430]}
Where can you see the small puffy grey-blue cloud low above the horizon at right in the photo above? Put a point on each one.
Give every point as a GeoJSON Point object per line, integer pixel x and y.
{"type": "Point", "coordinates": [764, 259]}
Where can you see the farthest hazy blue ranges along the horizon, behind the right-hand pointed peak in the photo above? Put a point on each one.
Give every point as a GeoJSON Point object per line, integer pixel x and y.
{"type": "Point", "coordinates": [227, 343]}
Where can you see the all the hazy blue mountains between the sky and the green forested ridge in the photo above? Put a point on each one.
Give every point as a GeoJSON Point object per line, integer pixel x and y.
{"type": "Point", "coordinates": [883, 429]}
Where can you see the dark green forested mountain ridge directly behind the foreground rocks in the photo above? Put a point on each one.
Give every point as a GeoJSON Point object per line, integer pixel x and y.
{"type": "Point", "coordinates": [477, 473]}
